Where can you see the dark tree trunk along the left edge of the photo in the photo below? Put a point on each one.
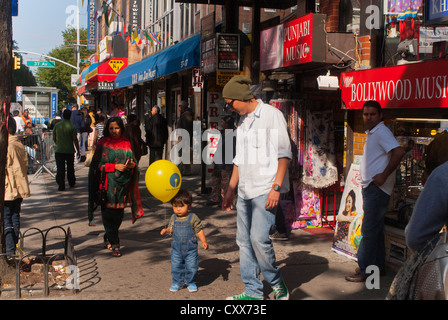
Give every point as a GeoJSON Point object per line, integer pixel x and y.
{"type": "Point", "coordinates": [6, 64]}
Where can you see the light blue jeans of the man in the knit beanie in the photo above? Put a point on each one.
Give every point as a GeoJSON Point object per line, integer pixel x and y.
{"type": "Point", "coordinates": [256, 250]}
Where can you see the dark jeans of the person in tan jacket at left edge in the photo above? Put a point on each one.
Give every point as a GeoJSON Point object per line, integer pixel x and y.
{"type": "Point", "coordinates": [12, 224]}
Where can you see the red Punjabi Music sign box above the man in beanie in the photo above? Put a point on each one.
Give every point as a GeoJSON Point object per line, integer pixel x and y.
{"type": "Point", "coordinates": [294, 42]}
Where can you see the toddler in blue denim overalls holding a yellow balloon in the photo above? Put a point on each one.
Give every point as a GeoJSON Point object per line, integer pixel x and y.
{"type": "Point", "coordinates": [184, 227]}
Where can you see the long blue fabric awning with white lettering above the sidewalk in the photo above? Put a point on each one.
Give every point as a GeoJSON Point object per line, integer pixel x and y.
{"type": "Point", "coordinates": [181, 56]}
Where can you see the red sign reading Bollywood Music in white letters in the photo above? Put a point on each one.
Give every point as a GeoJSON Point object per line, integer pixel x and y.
{"type": "Point", "coordinates": [415, 85]}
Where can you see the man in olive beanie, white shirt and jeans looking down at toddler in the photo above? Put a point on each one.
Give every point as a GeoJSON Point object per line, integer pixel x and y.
{"type": "Point", "coordinates": [263, 152]}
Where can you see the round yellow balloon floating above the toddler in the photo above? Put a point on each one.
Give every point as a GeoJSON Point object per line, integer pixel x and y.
{"type": "Point", "coordinates": [163, 180]}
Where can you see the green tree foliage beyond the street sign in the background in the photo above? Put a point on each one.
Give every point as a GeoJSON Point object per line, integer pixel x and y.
{"type": "Point", "coordinates": [60, 75]}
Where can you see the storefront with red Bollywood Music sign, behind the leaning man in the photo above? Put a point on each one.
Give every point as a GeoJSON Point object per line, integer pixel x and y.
{"type": "Point", "coordinates": [414, 98]}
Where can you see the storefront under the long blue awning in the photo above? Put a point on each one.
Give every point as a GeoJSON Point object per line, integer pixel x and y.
{"type": "Point", "coordinates": [164, 79]}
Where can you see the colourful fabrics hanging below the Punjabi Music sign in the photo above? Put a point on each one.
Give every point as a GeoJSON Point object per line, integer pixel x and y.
{"type": "Point", "coordinates": [313, 166]}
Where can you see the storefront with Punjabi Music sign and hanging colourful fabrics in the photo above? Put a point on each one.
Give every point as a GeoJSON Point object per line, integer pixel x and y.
{"type": "Point", "coordinates": [293, 56]}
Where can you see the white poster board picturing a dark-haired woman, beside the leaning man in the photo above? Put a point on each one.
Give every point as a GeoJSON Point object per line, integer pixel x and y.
{"type": "Point", "coordinates": [347, 235]}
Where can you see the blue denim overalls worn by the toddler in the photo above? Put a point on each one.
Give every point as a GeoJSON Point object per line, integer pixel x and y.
{"type": "Point", "coordinates": [184, 252]}
